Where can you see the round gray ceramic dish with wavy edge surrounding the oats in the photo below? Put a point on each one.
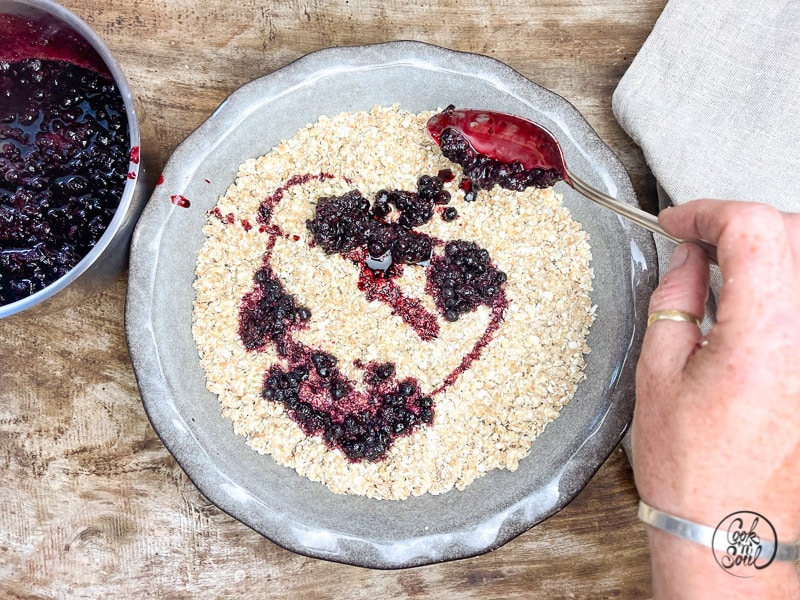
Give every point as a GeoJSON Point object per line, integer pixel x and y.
{"type": "Point", "coordinates": [290, 510]}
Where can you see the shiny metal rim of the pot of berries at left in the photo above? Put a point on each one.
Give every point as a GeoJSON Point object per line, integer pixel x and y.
{"type": "Point", "coordinates": [120, 218]}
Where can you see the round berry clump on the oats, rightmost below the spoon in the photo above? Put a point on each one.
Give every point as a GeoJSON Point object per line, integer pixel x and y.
{"type": "Point", "coordinates": [463, 278]}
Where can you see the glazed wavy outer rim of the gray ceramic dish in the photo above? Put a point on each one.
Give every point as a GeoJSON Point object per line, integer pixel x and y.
{"type": "Point", "coordinates": [363, 552]}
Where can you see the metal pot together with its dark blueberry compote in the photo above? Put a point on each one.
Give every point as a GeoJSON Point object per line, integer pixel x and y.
{"type": "Point", "coordinates": [71, 179]}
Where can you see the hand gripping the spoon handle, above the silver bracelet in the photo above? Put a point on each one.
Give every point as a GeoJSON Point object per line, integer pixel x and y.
{"type": "Point", "coordinates": [717, 420]}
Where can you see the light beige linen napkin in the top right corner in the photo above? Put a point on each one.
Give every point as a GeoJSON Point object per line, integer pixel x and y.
{"type": "Point", "coordinates": [713, 100]}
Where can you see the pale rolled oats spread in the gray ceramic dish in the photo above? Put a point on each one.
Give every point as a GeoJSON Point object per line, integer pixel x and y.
{"type": "Point", "coordinates": [488, 417]}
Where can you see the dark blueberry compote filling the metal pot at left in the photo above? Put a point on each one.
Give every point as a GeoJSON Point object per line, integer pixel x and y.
{"type": "Point", "coordinates": [64, 155]}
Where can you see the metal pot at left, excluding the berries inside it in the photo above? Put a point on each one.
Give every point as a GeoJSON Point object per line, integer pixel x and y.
{"type": "Point", "coordinates": [46, 30]}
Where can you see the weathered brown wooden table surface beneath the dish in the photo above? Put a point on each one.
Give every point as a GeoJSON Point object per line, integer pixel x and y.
{"type": "Point", "coordinates": [91, 503]}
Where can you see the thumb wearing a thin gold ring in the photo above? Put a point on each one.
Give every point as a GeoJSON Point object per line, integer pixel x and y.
{"type": "Point", "coordinates": [668, 344]}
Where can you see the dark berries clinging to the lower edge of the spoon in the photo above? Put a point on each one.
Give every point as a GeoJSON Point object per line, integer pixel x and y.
{"type": "Point", "coordinates": [484, 171]}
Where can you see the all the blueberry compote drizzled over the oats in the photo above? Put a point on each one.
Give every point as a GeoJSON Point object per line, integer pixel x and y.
{"type": "Point", "coordinates": [362, 421]}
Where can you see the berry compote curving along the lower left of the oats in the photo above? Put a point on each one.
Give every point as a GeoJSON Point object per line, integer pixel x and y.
{"type": "Point", "coordinates": [360, 423]}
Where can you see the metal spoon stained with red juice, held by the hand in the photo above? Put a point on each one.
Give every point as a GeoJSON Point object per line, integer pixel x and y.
{"type": "Point", "coordinates": [509, 139]}
